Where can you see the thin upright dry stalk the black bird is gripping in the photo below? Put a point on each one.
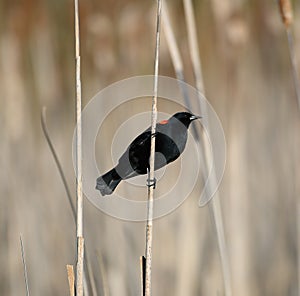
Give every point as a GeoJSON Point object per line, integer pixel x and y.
{"type": "Point", "coordinates": [151, 179]}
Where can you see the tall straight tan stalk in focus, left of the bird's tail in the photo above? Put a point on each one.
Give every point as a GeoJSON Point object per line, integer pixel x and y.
{"type": "Point", "coordinates": [79, 195]}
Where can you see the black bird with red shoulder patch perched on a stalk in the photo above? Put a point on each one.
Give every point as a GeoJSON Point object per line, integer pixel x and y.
{"type": "Point", "coordinates": [170, 141]}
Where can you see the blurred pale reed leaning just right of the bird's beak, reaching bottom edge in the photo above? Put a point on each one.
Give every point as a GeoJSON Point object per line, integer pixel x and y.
{"type": "Point", "coordinates": [214, 204]}
